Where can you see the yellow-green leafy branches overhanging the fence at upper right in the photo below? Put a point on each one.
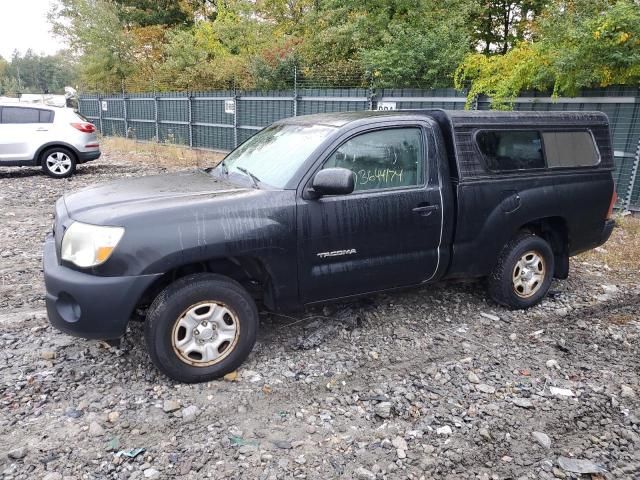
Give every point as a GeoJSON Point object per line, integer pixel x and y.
{"type": "Point", "coordinates": [587, 44]}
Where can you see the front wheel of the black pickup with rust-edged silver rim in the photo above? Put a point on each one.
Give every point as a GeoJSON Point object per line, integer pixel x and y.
{"type": "Point", "coordinates": [179, 343]}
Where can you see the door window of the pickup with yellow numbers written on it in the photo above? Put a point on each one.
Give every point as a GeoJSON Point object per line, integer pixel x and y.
{"type": "Point", "coordinates": [382, 159]}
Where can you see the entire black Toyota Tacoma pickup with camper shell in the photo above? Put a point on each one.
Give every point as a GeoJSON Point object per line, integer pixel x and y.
{"type": "Point", "coordinates": [326, 207]}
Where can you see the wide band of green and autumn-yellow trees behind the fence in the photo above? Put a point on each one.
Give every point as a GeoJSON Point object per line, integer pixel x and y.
{"type": "Point", "coordinates": [491, 47]}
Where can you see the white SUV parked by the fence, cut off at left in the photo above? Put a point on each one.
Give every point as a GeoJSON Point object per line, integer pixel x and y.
{"type": "Point", "coordinates": [57, 139]}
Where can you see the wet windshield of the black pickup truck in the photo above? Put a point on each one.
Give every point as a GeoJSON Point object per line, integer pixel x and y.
{"type": "Point", "coordinates": [274, 154]}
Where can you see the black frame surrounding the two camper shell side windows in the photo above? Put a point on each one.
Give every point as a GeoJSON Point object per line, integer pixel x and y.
{"type": "Point", "coordinates": [541, 131]}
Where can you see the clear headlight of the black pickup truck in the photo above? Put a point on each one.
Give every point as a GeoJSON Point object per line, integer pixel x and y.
{"type": "Point", "coordinates": [89, 245]}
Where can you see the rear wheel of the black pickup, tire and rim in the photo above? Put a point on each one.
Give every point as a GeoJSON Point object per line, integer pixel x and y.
{"type": "Point", "coordinates": [524, 272]}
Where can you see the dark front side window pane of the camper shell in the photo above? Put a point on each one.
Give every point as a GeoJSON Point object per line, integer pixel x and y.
{"type": "Point", "coordinates": [511, 149]}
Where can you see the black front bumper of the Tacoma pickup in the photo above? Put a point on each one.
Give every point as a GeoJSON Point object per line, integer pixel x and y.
{"type": "Point", "coordinates": [86, 305]}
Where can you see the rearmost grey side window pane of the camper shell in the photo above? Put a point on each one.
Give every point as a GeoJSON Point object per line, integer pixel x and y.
{"type": "Point", "coordinates": [570, 149]}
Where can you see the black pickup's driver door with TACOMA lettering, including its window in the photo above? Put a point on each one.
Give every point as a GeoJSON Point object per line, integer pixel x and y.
{"type": "Point", "coordinates": [387, 232]}
